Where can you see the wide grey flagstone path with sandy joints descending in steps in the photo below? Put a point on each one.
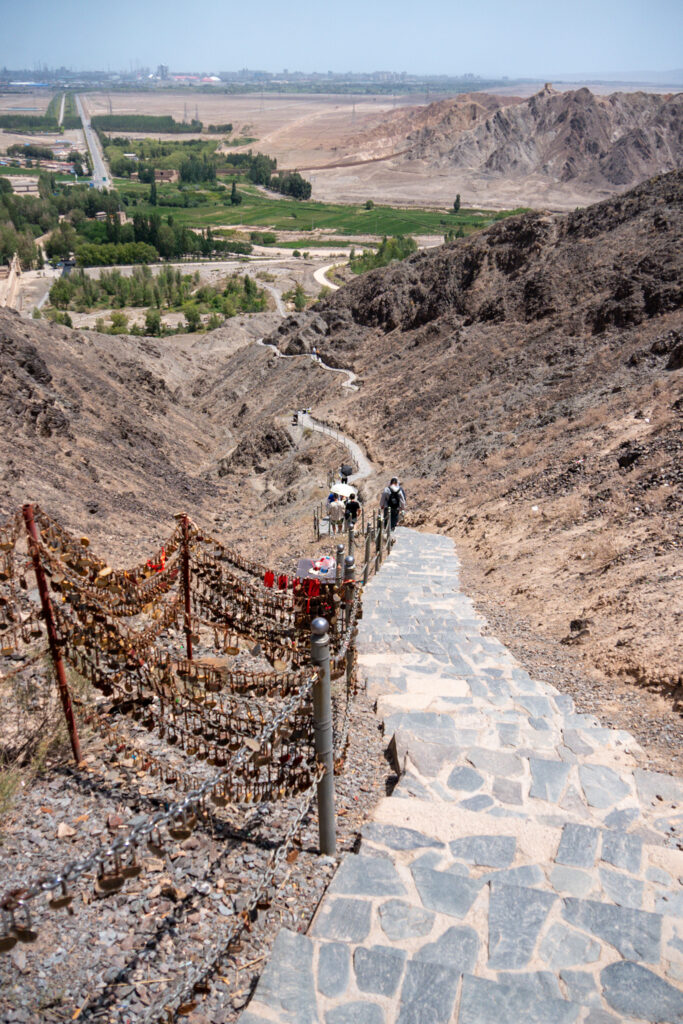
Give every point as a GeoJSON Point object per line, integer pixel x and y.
{"type": "Point", "coordinates": [524, 871]}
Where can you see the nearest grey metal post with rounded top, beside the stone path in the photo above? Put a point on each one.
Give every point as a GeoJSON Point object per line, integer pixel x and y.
{"type": "Point", "coordinates": [320, 654]}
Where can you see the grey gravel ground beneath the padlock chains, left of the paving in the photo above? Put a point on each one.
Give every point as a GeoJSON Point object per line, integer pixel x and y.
{"type": "Point", "coordinates": [108, 957]}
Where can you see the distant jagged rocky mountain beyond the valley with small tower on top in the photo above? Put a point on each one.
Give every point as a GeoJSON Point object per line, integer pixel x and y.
{"type": "Point", "coordinates": [579, 139]}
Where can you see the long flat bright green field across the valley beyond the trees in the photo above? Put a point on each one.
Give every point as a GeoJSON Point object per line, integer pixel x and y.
{"type": "Point", "coordinates": [260, 210]}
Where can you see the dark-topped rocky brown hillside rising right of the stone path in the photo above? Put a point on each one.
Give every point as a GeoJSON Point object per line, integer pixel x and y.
{"type": "Point", "coordinates": [528, 386]}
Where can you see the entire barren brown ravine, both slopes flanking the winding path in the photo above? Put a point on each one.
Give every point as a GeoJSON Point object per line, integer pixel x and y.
{"type": "Point", "coordinates": [526, 383]}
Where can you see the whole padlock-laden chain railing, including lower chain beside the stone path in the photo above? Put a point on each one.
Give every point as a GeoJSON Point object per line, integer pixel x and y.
{"type": "Point", "coordinates": [258, 730]}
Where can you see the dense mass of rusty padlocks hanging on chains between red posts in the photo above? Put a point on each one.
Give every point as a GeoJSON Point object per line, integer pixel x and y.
{"type": "Point", "coordinates": [254, 730]}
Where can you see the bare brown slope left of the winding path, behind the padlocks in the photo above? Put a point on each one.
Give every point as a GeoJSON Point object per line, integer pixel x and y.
{"type": "Point", "coordinates": [114, 435]}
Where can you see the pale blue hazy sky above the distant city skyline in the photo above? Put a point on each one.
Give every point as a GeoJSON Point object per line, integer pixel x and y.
{"type": "Point", "coordinates": [528, 38]}
